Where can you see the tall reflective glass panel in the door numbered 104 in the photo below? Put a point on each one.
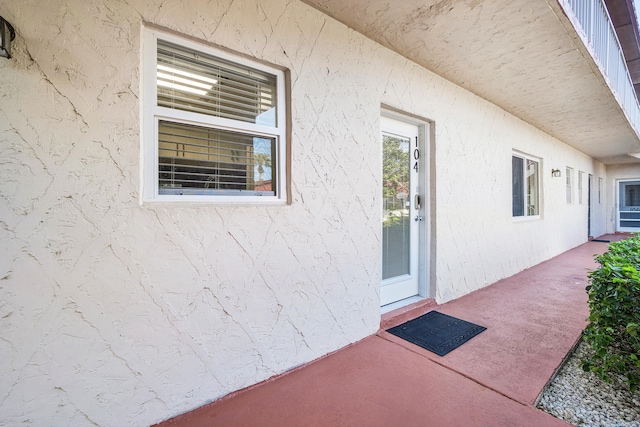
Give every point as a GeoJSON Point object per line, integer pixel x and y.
{"type": "Point", "coordinates": [396, 204]}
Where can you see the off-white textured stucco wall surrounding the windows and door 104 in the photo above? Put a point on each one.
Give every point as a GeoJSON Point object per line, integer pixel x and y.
{"type": "Point", "coordinates": [117, 314]}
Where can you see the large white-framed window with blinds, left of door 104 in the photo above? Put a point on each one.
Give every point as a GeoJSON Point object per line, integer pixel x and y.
{"type": "Point", "coordinates": [214, 125]}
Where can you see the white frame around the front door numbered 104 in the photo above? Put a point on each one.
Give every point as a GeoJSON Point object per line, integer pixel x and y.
{"type": "Point", "coordinates": [425, 242]}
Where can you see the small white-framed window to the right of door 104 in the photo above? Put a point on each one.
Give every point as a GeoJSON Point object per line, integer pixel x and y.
{"type": "Point", "coordinates": [525, 174]}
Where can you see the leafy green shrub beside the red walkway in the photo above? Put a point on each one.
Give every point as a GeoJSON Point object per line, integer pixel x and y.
{"type": "Point", "coordinates": [614, 303]}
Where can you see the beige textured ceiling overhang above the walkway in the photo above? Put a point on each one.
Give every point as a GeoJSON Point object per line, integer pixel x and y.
{"type": "Point", "coordinates": [523, 55]}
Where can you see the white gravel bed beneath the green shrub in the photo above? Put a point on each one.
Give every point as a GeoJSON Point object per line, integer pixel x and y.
{"type": "Point", "coordinates": [583, 399]}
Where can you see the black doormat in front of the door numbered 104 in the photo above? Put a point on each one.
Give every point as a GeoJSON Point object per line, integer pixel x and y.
{"type": "Point", "coordinates": [437, 332]}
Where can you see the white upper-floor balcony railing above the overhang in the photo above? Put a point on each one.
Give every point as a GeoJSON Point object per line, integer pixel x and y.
{"type": "Point", "coordinates": [596, 29]}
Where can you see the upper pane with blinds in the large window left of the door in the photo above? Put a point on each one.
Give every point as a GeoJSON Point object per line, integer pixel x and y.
{"type": "Point", "coordinates": [193, 81]}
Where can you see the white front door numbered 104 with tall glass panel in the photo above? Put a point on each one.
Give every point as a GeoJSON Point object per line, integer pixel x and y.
{"type": "Point", "coordinates": [402, 211]}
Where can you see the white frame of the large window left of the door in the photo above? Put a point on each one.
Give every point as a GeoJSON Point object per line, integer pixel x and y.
{"type": "Point", "coordinates": [152, 114]}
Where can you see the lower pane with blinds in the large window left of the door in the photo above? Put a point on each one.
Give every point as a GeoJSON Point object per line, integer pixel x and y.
{"type": "Point", "coordinates": [200, 160]}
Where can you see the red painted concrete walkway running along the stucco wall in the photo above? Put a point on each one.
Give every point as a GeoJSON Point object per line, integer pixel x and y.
{"type": "Point", "coordinates": [533, 320]}
